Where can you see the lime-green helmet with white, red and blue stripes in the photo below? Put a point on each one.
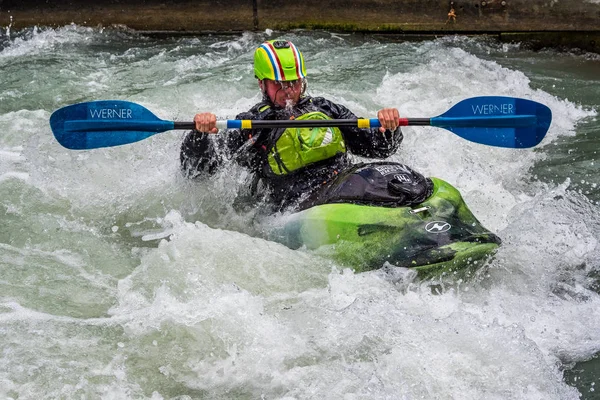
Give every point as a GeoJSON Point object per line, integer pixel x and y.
{"type": "Point", "coordinates": [279, 60]}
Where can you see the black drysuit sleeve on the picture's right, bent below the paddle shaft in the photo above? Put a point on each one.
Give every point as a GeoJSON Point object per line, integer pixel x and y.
{"type": "Point", "coordinates": [369, 143]}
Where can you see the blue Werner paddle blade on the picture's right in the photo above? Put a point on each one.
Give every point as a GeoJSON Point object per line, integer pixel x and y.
{"type": "Point", "coordinates": [497, 121]}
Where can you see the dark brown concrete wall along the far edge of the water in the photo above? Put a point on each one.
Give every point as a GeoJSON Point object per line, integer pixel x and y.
{"type": "Point", "coordinates": [560, 22]}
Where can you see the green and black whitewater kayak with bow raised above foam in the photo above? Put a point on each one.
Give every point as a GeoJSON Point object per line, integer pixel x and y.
{"type": "Point", "coordinates": [436, 236]}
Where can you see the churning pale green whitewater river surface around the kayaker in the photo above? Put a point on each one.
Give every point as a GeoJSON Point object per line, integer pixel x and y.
{"type": "Point", "coordinates": [120, 279]}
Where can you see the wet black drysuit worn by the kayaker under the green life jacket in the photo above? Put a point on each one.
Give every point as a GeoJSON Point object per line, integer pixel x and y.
{"type": "Point", "coordinates": [203, 153]}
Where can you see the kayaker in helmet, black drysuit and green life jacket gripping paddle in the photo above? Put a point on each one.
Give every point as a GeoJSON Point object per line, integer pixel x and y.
{"type": "Point", "coordinates": [290, 164]}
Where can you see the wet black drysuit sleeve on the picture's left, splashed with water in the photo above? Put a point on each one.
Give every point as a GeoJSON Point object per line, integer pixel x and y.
{"type": "Point", "coordinates": [203, 153]}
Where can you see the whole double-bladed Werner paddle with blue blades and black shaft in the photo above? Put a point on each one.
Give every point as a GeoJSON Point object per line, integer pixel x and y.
{"type": "Point", "coordinates": [492, 120]}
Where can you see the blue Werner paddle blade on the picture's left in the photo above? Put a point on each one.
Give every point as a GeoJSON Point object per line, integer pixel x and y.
{"type": "Point", "coordinates": [104, 123]}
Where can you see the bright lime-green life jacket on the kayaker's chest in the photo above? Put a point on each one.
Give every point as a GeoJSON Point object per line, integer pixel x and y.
{"type": "Point", "coordinates": [296, 148]}
